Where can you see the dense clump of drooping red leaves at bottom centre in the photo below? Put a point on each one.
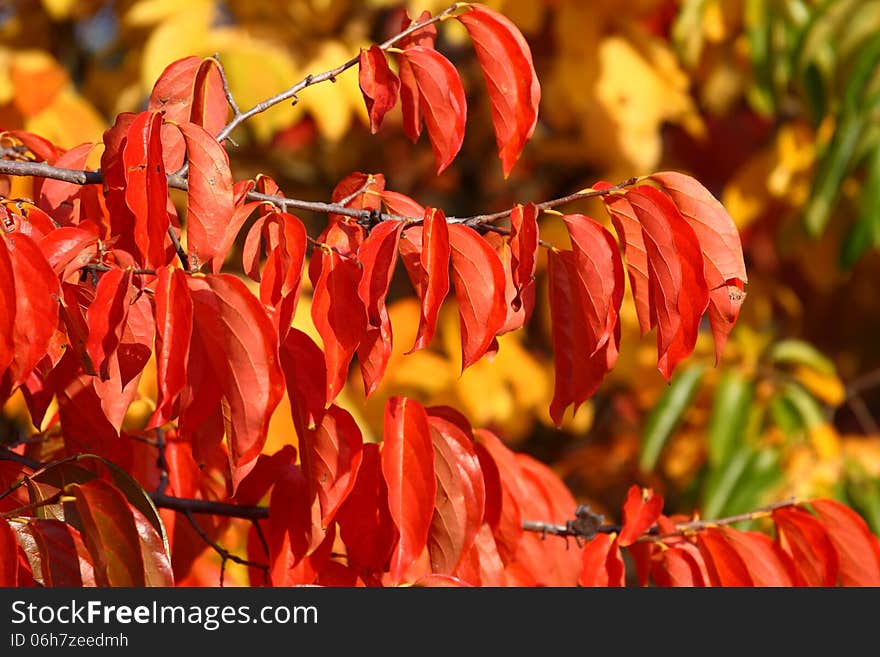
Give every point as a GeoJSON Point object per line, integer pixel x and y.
{"type": "Point", "coordinates": [437, 503]}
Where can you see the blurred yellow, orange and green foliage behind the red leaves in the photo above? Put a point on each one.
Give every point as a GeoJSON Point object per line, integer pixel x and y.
{"type": "Point", "coordinates": [772, 104]}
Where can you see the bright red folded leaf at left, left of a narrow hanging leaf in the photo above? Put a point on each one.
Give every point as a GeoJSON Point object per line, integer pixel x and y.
{"type": "Point", "coordinates": [106, 316]}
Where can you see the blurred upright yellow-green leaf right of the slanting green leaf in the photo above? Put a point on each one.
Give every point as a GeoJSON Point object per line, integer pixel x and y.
{"type": "Point", "coordinates": [730, 414]}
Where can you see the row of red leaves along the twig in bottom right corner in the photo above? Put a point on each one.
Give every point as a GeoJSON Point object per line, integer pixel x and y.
{"type": "Point", "coordinates": [822, 543]}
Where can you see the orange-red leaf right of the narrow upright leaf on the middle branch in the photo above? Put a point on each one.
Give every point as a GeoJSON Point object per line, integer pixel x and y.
{"type": "Point", "coordinates": [478, 278]}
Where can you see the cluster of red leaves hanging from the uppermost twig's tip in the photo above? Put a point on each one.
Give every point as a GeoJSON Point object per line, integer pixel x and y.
{"type": "Point", "coordinates": [431, 91]}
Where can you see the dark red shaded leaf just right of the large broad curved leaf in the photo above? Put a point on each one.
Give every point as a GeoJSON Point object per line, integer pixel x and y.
{"type": "Point", "coordinates": [306, 376]}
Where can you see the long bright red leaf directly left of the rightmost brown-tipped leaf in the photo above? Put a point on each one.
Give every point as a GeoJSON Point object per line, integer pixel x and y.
{"type": "Point", "coordinates": [679, 292]}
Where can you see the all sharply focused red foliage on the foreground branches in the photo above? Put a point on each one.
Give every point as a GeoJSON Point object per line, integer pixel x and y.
{"type": "Point", "coordinates": [100, 275]}
